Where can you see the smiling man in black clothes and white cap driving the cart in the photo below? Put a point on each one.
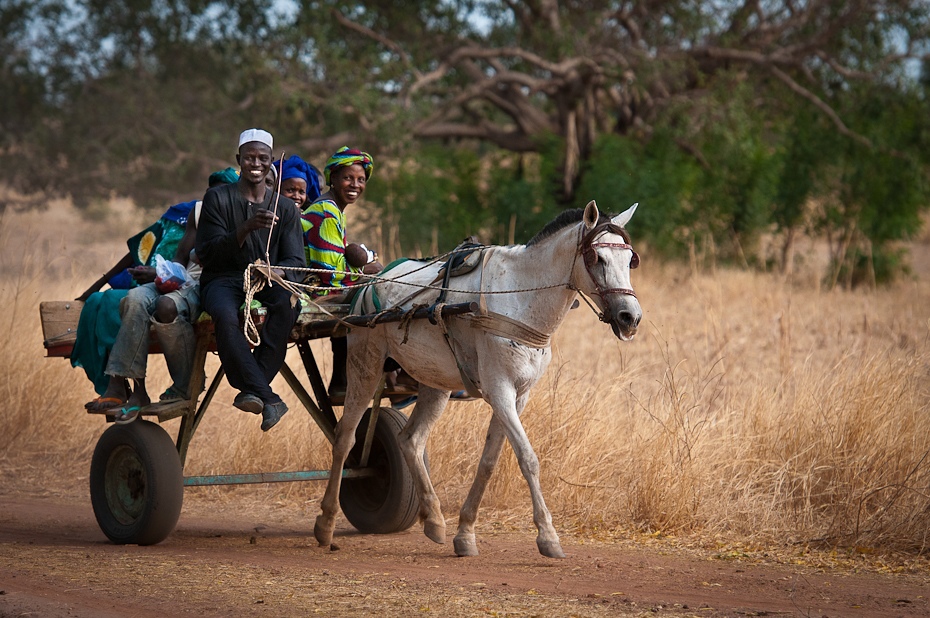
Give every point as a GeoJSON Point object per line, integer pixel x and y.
{"type": "Point", "coordinates": [233, 233]}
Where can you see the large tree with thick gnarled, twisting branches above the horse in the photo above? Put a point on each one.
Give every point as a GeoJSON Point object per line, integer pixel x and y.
{"type": "Point", "coordinates": [510, 72]}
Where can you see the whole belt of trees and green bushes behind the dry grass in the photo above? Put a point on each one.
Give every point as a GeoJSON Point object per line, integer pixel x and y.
{"type": "Point", "coordinates": [485, 115]}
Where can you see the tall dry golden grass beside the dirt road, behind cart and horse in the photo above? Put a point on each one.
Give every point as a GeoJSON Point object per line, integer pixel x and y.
{"type": "Point", "coordinates": [749, 406]}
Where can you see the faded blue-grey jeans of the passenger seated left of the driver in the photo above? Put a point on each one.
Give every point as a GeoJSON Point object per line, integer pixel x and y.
{"type": "Point", "coordinates": [129, 356]}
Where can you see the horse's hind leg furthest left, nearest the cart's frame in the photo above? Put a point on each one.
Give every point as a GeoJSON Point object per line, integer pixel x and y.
{"type": "Point", "coordinates": [364, 375]}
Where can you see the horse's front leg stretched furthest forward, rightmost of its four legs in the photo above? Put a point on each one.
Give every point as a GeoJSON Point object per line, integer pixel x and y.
{"type": "Point", "coordinates": [503, 402]}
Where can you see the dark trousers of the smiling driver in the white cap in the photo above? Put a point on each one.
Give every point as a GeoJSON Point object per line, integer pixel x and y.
{"type": "Point", "coordinates": [247, 370]}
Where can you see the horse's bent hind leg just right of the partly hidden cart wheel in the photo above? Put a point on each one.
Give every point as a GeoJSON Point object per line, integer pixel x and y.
{"type": "Point", "coordinates": [429, 407]}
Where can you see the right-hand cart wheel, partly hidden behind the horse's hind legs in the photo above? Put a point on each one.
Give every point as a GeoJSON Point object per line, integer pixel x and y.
{"type": "Point", "coordinates": [386, 502]}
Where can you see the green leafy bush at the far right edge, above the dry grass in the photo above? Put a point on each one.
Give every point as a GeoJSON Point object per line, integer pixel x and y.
{"type": "Point", "coordinates": [873, 195]}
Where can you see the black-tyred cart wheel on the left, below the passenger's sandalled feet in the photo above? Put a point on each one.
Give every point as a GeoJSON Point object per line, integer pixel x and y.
{"type": "Point", "coordinates": [136, 483]}
